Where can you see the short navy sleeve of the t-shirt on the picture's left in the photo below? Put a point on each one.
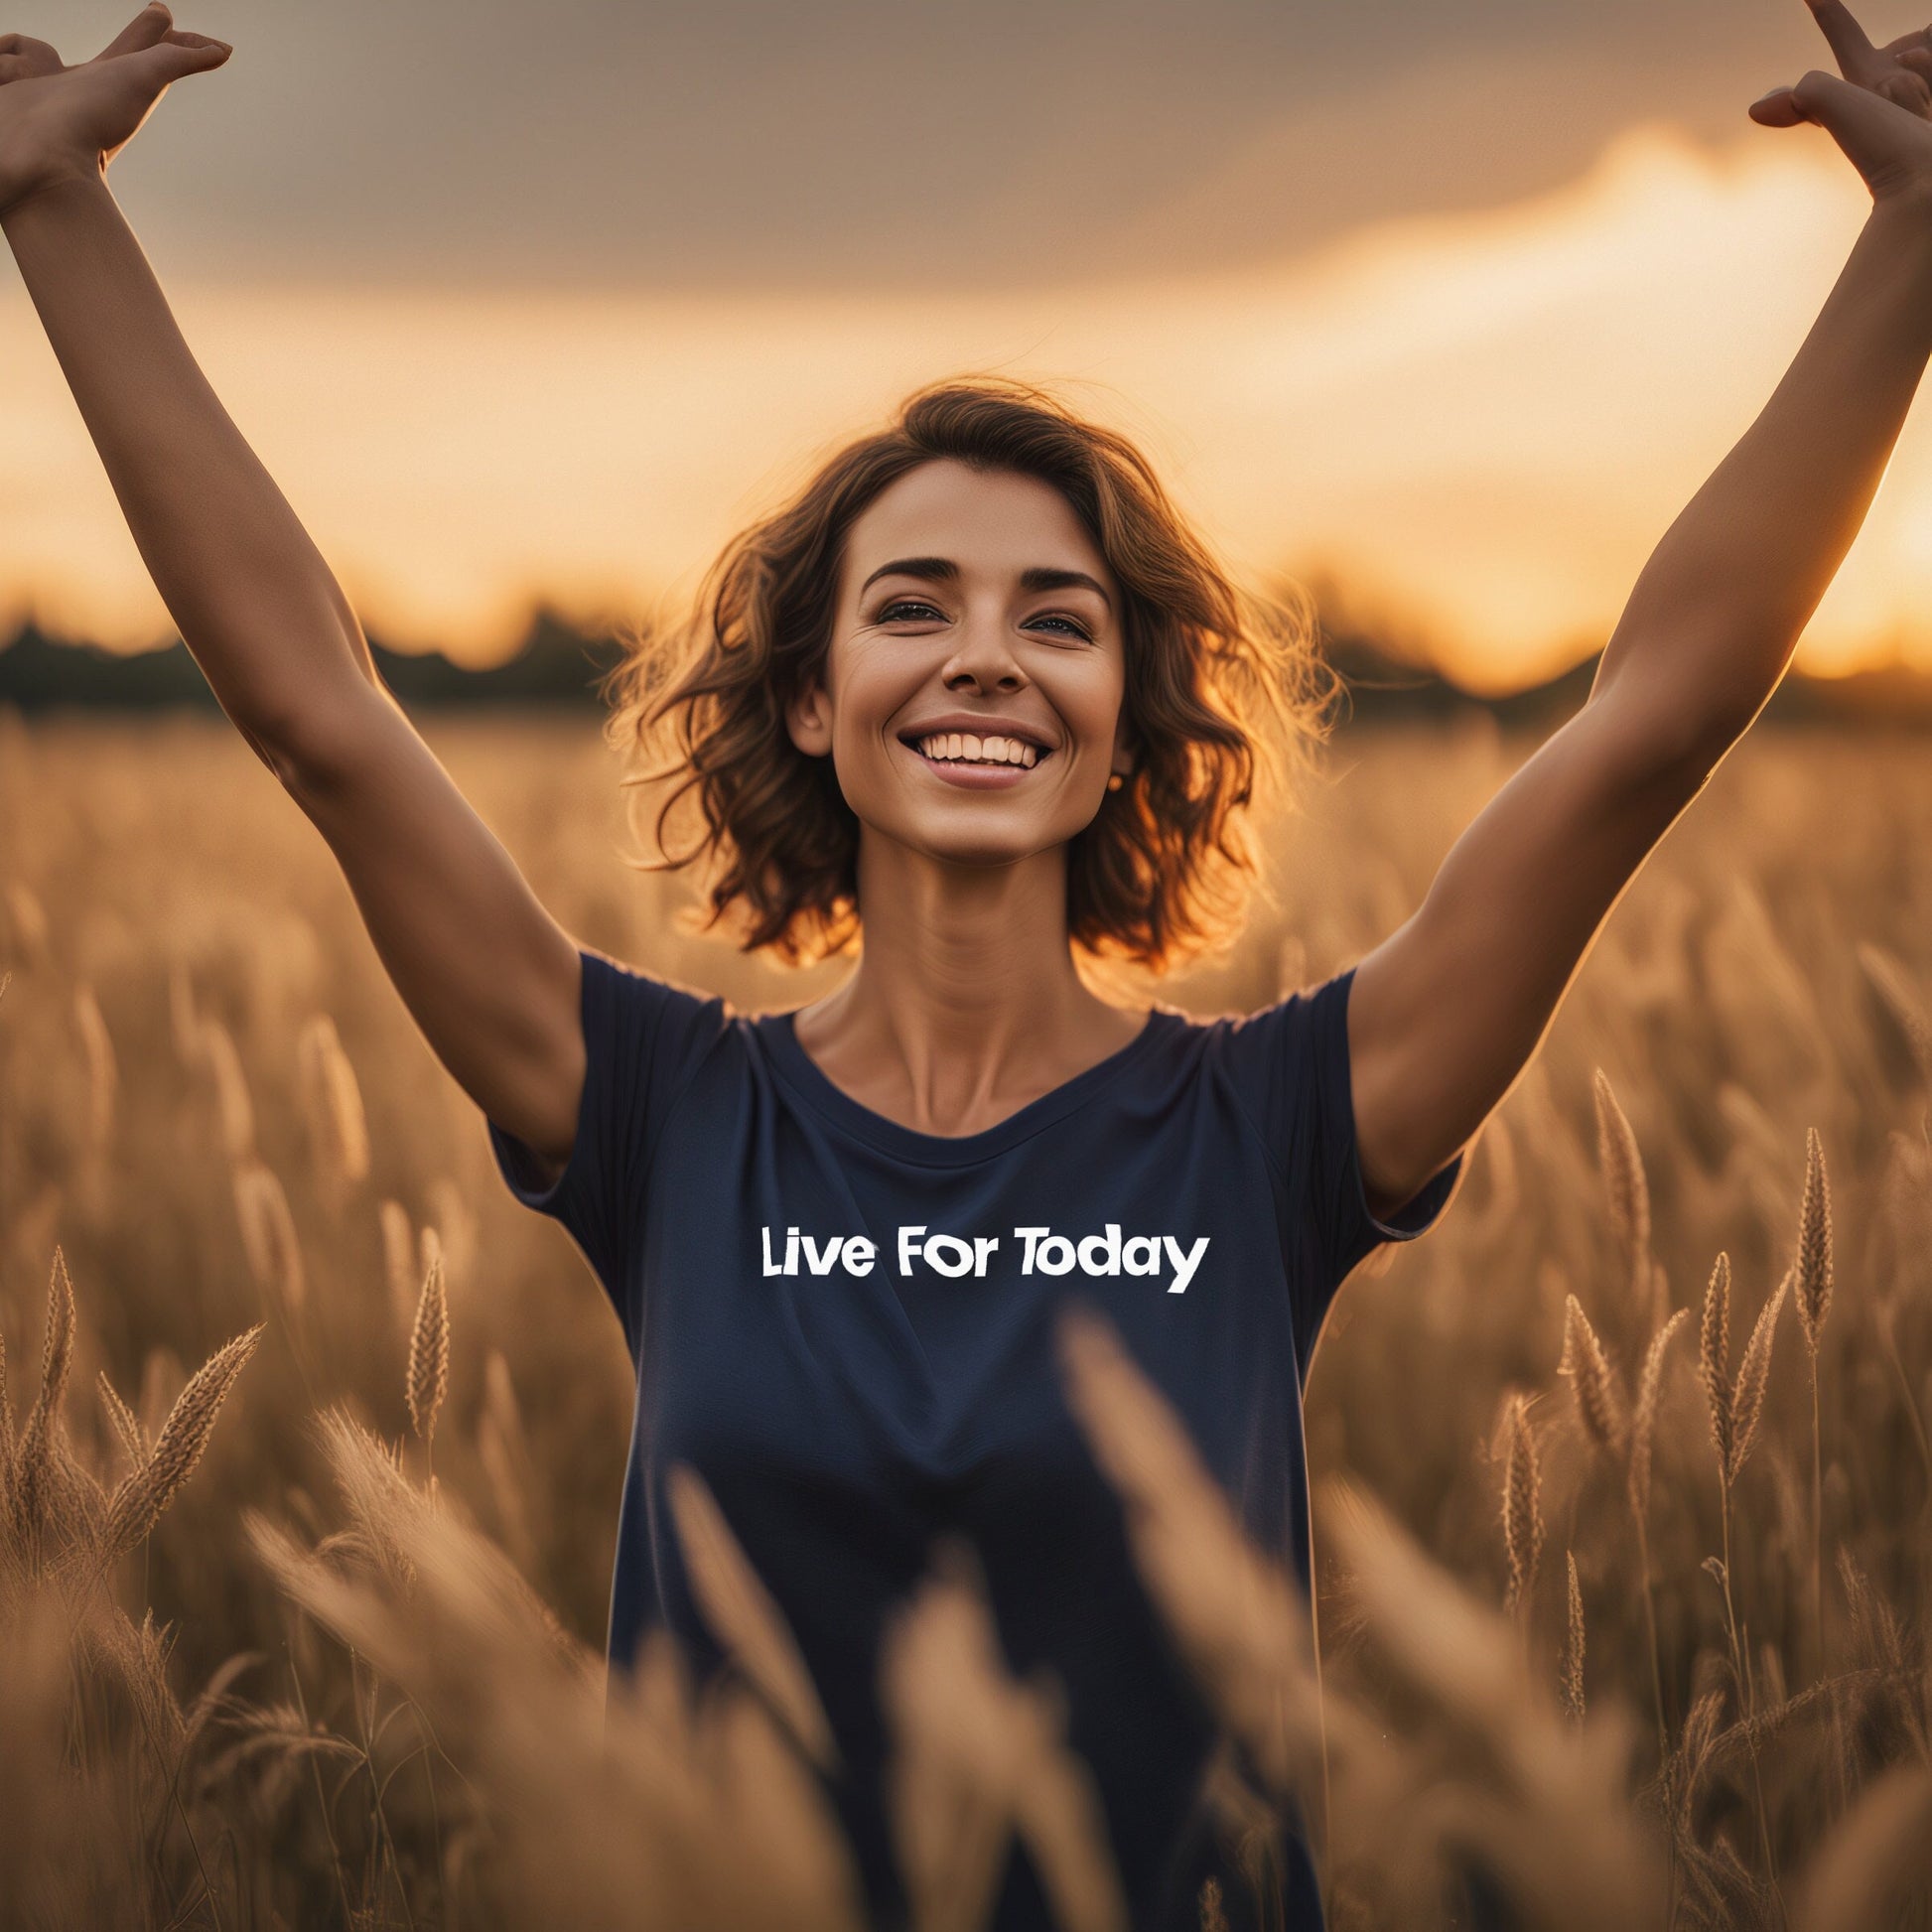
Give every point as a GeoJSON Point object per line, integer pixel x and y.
{"type": "Point", "coordinates": [644, 1040]}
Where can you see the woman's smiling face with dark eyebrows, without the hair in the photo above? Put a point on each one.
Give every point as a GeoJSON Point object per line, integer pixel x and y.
{"type": "Point", "coordinates": [973, 698]}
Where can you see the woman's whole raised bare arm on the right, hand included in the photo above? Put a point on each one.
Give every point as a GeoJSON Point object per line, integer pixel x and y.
{"type": "Point", "coordinates": [1448, 1011]}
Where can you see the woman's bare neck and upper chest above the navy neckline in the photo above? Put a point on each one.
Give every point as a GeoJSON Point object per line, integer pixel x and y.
{"type": "Point", "coordinates": [965, 1004]}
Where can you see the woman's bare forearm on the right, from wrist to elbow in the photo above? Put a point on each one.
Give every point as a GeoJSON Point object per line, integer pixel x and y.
{"type": "Point", "coordinates": [1719, 610]}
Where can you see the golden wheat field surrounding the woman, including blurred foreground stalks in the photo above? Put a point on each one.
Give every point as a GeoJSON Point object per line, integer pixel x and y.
{"type": "Point", "coordinates": [312, 1438]}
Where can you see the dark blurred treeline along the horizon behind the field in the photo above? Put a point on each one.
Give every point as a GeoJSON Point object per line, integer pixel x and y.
{"type": "Point", "coordinates": [559, 668]}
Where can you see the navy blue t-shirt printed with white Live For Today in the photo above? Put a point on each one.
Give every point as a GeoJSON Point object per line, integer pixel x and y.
{"type": "Point", "coordinates": [1199, 1187]}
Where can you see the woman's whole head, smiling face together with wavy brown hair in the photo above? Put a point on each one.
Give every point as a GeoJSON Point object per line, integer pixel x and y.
{"type": "Point", "coordinates": [826, 646]}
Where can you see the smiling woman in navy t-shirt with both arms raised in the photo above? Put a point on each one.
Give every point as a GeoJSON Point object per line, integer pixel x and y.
{"type": "Point", "coordinates": [975, 702]}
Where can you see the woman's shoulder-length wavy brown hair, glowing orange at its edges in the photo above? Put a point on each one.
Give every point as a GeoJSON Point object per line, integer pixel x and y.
{"type": "Point", "coordinates": [1226, 695]}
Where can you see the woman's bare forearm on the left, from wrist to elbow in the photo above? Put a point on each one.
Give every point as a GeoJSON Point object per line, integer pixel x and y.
{"type": "Point", "coordinates": [252, 596]}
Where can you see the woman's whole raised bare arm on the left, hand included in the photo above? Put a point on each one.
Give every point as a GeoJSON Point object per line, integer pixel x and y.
{"type": "Point", "coordinates": [484, 969]}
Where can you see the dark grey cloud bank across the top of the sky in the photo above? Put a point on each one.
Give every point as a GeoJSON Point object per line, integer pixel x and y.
{"type": "Point", "coordinates": [882, 144]}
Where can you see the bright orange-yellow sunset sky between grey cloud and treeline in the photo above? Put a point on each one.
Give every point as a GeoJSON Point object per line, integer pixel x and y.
{"type": "Point", "coordinates": [1483, 422]}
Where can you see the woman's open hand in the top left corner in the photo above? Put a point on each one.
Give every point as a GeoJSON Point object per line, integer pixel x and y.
{"type": "Point", "coordinates": [61, 123]}
